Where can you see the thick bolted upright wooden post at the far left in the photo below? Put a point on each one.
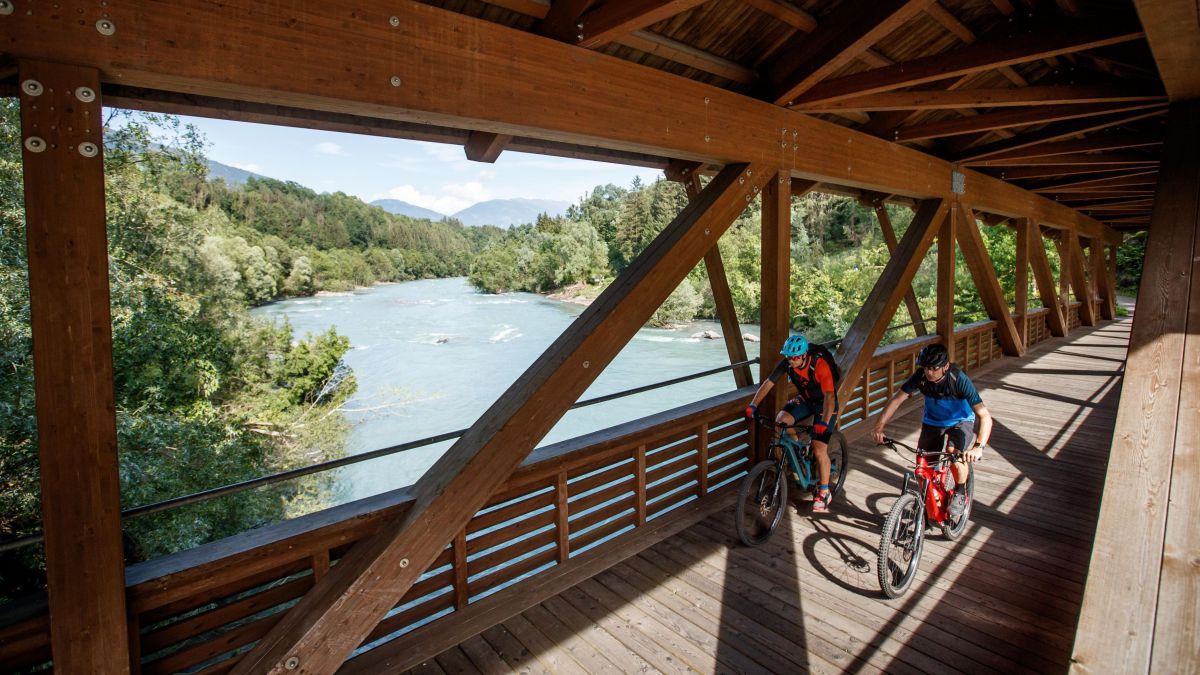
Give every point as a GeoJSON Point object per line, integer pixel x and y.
{"type": "Point", "coordinates": [61, 120]}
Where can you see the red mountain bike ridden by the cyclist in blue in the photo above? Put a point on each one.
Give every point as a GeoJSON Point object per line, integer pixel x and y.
{"type": "Point", "coordinates": [925, 498]}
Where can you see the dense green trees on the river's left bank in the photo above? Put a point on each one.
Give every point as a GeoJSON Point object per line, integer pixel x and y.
{"type": "Point", "coordinates": [206, 396]}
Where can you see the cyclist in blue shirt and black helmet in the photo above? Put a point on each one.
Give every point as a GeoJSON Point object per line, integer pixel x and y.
{"type": "Point", "coordinates": [952, 407]}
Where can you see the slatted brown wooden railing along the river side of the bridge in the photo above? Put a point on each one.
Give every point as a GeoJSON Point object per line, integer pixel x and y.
{"type": "Point", "coordinates": [199, 611]}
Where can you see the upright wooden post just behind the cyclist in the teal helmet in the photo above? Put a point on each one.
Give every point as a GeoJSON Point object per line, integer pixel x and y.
{"type": "Point", "coordinates": [777, 260]}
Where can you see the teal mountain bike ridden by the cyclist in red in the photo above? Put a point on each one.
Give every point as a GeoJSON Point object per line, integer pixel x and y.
{"type": "Point", "coordinates": [764, 492]}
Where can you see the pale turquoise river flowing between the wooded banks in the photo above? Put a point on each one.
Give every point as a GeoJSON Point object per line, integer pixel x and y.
{"type": "Point", "coordinates": [433, 356]}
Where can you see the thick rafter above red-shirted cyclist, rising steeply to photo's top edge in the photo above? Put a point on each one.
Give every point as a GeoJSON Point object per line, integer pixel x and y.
{"type": "Point", "coordinates": [844, 35]}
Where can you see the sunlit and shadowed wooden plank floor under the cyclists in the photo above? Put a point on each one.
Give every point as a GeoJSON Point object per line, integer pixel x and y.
{"type": "Point", "coordinates": [1004, 600]}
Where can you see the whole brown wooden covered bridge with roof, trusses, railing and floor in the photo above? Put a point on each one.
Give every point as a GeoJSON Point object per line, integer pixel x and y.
{"type": "Point", "coordinates": [1067, 122]}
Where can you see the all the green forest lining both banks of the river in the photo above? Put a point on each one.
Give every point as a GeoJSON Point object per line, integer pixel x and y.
{"type": "Point", "coordinates": [207, 396]}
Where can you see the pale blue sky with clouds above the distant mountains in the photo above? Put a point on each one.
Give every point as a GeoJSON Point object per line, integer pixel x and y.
{"type": "Point", "coordinates": [434, 176]}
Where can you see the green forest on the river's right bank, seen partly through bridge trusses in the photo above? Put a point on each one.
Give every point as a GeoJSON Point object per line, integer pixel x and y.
{"type": "Point", "coordinates": [838, 252]}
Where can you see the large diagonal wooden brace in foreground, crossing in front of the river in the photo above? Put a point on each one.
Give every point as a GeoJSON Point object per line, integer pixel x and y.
{"type": "Point", "coordinates": [334, 618]}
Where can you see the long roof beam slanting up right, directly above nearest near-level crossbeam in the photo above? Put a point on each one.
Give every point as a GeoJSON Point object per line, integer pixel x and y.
{"type": "Point", "coordinates": [1046, 40]}
